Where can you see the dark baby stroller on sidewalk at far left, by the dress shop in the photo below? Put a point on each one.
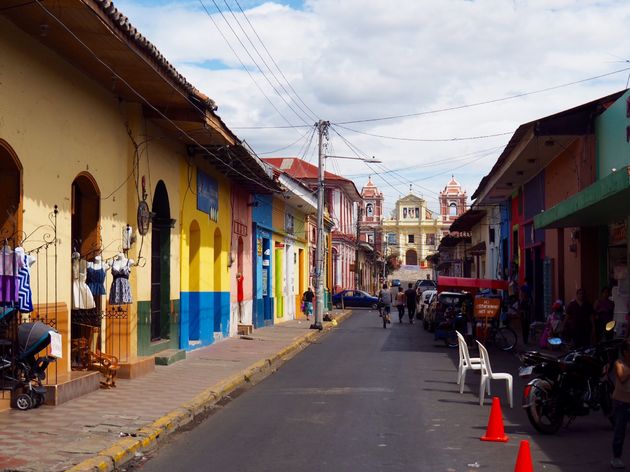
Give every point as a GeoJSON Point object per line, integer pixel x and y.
{"type": "Point", "coordinates": [23, 372]}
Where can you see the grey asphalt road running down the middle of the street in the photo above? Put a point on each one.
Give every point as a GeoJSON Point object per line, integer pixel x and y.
{"type": "Point", "coordinates": [365, 398]}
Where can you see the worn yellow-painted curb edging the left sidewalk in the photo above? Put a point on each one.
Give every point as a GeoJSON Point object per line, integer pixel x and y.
{"type": "Point", "coordinates": [149, 436]}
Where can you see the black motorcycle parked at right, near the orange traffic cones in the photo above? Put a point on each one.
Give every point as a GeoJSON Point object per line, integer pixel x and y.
{"type": "Point", "coordinates": [571, 385]}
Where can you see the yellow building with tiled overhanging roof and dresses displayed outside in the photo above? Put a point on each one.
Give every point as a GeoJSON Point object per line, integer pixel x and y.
{"type": "Point", "coordinates": [102, 145]}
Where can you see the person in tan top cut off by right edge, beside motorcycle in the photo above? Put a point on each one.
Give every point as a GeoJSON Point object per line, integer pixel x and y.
{"type": "Point", "coordinates": [621, 399]}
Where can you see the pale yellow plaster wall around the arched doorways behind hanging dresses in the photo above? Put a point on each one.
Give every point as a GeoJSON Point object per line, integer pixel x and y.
{"type": "Point", "coordinates": [61, 123]}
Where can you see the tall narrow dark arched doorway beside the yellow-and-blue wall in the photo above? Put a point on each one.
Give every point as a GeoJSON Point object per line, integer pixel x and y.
{"type": "Point", "coordinates": [161, 225]}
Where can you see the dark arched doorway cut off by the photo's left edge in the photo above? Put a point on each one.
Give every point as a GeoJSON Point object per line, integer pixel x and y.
{"type": "Point", "coordinates": [10, 193]}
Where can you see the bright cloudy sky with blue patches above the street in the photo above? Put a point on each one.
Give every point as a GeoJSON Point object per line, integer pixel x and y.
{"type": "Point", "coordinates": [276, 67]}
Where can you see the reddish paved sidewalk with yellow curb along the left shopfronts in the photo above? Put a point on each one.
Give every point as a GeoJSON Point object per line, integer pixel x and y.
{"type": "Point", "coordinates": [104, 429]}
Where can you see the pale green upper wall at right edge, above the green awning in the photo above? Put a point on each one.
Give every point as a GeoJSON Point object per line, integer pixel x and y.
{"type": "Point", "coordinates": [613, 149]}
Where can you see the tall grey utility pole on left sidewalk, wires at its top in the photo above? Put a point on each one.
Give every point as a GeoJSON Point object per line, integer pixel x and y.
{"type": "Point", "coordinates": [322, 128]}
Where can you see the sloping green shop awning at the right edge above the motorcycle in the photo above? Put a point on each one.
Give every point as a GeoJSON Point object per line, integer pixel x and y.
{"type": "Point", "coordinates": [601, 203]}
